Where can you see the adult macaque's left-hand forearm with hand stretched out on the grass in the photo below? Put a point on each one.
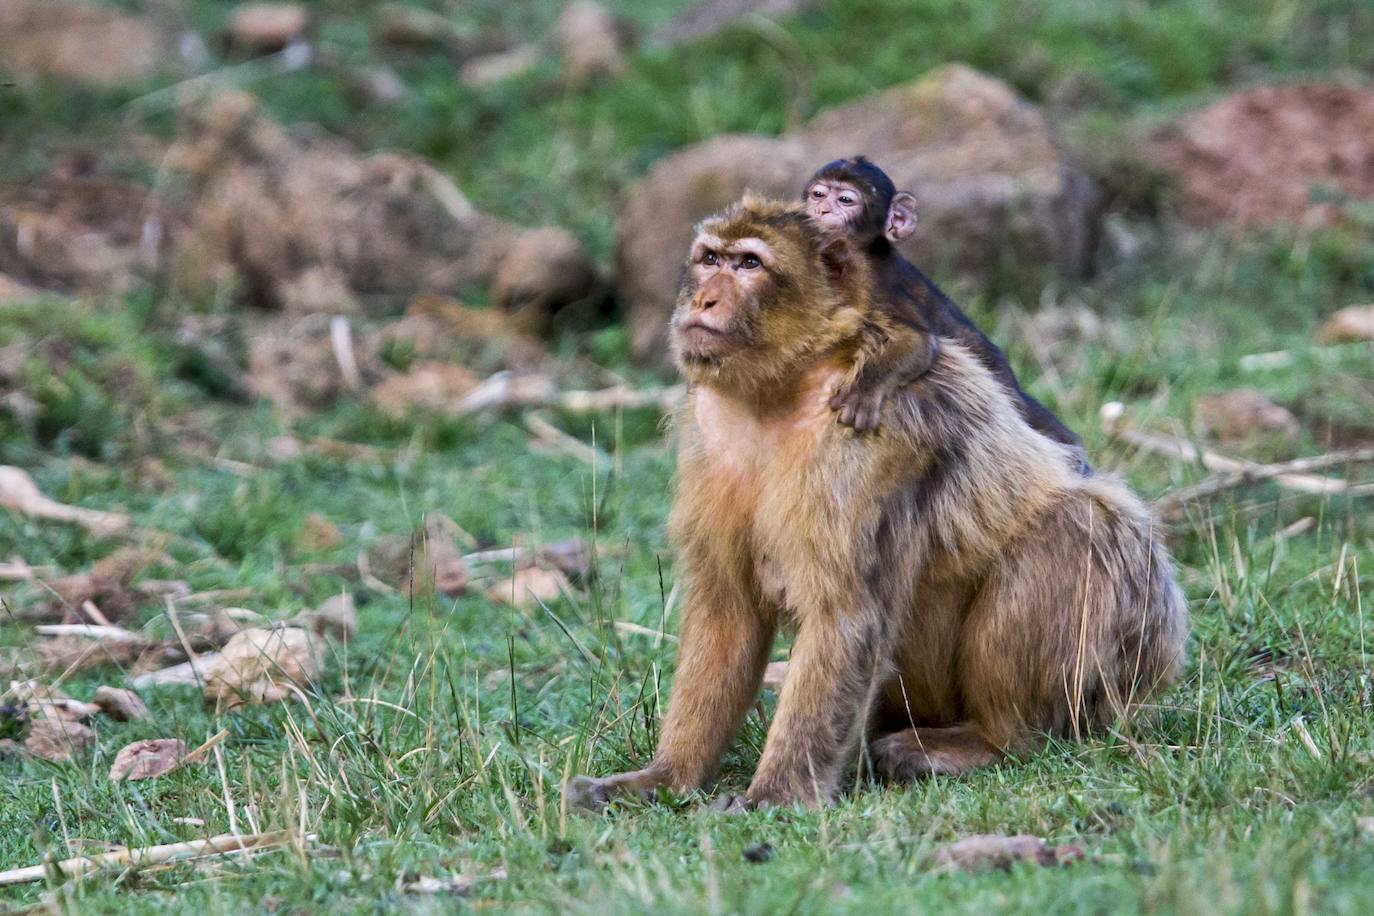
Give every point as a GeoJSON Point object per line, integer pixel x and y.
{"type": "Point", "coordinates": [721, 663]}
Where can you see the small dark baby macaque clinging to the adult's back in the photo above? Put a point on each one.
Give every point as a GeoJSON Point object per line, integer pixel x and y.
{"type": "Point", "coordinates": [857, 197]}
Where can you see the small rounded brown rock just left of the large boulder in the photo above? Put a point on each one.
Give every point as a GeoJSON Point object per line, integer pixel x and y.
{"type": "Point", "coordinates": [543, 271]}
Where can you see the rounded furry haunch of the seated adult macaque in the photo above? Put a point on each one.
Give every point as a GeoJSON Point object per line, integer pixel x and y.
{"type": "Point", "coordinates": [1074, 626]}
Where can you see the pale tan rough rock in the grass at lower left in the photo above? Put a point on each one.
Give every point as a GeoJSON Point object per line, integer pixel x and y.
{"type": "Point", "coordinates": [263, 665]}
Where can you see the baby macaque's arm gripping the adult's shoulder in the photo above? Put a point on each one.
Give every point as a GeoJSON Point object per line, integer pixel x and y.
{"type": "Point", "coordinates": [888, 359]}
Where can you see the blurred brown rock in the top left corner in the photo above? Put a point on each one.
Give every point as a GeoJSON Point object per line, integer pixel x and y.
{"type": "Point", "coordinates": [75, 42]}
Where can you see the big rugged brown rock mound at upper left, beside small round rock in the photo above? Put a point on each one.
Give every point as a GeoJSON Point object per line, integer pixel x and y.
{"type": "Point", "coordinates": [303, 223]}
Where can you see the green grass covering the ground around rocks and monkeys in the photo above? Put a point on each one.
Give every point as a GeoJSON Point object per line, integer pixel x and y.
{"type": "Point", "coordinates": [438, 742]}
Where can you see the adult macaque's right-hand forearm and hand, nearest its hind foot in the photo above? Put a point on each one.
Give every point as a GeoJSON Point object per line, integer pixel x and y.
{"type": "Point", "coordinates": [826, 697]}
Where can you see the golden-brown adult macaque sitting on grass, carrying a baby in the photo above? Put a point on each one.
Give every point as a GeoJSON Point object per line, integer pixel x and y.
{"type": "Point", "coordinates": [958, 590]}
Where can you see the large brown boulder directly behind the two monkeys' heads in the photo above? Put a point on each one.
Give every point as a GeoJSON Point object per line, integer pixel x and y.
{"type": "Point", "coordinates": [991, 183]}
